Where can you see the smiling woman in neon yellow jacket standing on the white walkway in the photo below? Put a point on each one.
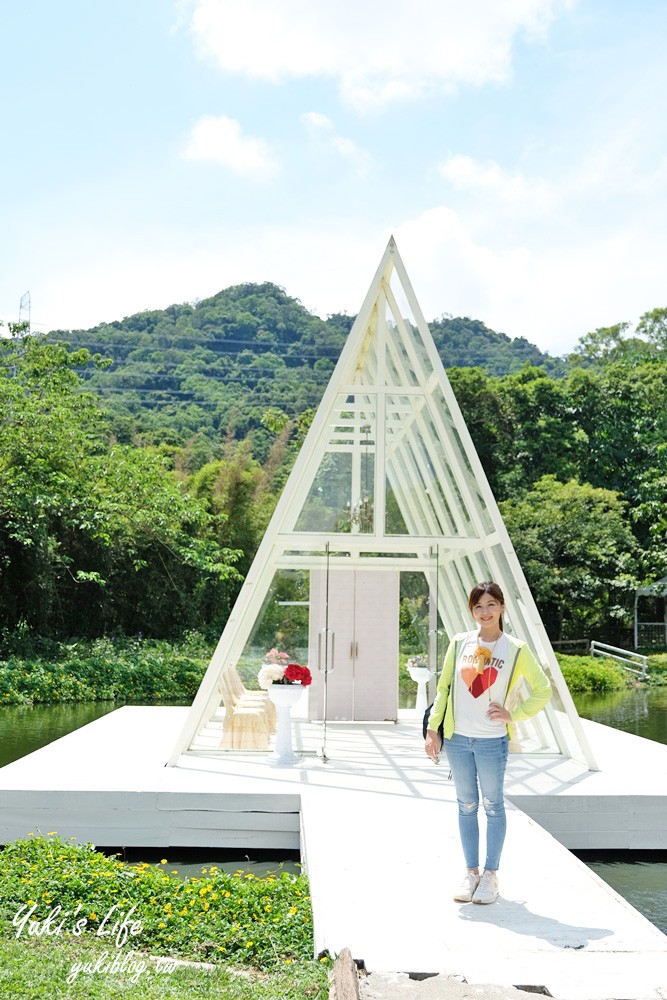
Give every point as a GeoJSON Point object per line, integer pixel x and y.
{"type": "Point", "coordinates": [480, 672]}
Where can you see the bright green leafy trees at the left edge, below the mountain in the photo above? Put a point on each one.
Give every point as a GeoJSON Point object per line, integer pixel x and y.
{"type": "Point", "coordinates": [93, 535]}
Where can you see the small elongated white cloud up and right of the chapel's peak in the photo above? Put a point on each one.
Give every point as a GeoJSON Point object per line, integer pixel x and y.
{"type": "Point", "coordinates": [513, 189]}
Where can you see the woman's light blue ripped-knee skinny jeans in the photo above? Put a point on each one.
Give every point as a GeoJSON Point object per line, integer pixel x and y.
{"type": "Point", "coordinates": [485, 760]}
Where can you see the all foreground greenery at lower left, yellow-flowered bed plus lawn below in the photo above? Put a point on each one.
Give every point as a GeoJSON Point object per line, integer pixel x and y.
{"type": "Point", "coordinates": [64, 903]}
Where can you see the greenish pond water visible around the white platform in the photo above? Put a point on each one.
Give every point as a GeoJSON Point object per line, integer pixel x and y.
{"type": "Point", "coordinates": [639, 878]}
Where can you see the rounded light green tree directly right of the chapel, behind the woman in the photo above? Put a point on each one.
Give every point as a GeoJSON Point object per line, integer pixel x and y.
{"type": "Point", "coordinates": [579, 555]}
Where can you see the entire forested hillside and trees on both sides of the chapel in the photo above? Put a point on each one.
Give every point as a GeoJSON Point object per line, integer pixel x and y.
{"type": "Point", "coordinates": [140, 461]}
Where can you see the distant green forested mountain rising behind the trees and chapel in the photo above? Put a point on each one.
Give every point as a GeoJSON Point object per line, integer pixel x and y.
{"type": "Point", "coordinates": [209, 371]}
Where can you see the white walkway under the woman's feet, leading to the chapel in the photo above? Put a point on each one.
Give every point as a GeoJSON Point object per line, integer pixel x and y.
{"type": "Point", "coordinates": [382, 867]}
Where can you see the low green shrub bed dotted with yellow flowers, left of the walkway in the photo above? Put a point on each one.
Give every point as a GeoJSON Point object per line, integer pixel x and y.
{"type": "Point", "coordinates": [234, 918]}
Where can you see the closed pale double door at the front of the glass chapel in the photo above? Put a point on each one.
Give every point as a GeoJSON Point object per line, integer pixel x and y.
{"type": "Point", "coordinates": [353, 641]}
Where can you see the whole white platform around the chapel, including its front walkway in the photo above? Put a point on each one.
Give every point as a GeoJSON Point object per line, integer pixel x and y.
{"type": "Point", "coordinates": [377, 829]}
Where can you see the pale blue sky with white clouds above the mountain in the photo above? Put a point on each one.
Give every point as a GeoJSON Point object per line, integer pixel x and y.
{"type": "Point", "coordinates": [156, 151]}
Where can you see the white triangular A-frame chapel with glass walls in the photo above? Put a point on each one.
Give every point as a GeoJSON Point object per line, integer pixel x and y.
{"type": "Point", "coordinates": [387, 482]}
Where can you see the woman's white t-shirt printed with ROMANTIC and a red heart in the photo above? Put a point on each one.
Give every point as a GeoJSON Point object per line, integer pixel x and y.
{"type": "Point", "coordinates": [475, 692]}
